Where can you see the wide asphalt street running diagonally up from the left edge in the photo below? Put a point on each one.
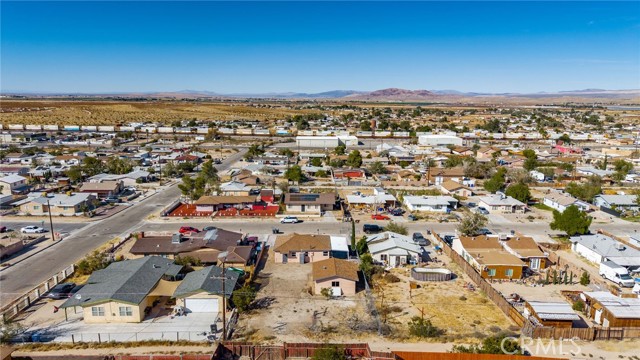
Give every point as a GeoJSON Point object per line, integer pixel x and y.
{"type": "Point", "coordinates": [25, 275]}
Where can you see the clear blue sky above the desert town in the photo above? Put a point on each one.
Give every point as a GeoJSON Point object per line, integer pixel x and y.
{"type": "Point", "coordinates": [251, 47]}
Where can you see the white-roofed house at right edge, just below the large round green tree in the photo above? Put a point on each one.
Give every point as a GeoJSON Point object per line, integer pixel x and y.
{"type": "Point", "coordinates": [599, 247]}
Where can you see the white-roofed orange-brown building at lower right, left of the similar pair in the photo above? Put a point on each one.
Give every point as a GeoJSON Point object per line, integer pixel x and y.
{"type": "Point", "coordinates": [555, 314]}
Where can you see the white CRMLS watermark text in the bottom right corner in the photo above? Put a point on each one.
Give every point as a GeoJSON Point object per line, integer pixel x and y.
{"type": "Point", "coordinates": [541, 346]}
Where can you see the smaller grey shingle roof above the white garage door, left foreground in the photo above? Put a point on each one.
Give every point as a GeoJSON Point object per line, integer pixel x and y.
{"type": "Point", "coordinates": [207, 280]}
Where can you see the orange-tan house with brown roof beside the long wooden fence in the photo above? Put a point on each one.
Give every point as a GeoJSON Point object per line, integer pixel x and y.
{"type": "Point", "coordinates": [488, 257]}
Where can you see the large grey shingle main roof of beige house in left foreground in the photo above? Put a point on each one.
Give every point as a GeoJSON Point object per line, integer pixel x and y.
{"type": "Point", "coordinates": [128, 281]}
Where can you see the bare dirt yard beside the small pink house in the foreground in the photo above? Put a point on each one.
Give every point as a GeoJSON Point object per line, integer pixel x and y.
{"type": "Point", "coordinates": [289, 313]}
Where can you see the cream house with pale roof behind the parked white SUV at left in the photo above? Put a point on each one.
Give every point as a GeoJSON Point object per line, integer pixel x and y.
{"type": "Point", "coordinates": [57, 204]}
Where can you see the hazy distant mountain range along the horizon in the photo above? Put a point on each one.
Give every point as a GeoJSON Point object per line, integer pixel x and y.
{"type": "Point", "coordinates": [389, 94]}
